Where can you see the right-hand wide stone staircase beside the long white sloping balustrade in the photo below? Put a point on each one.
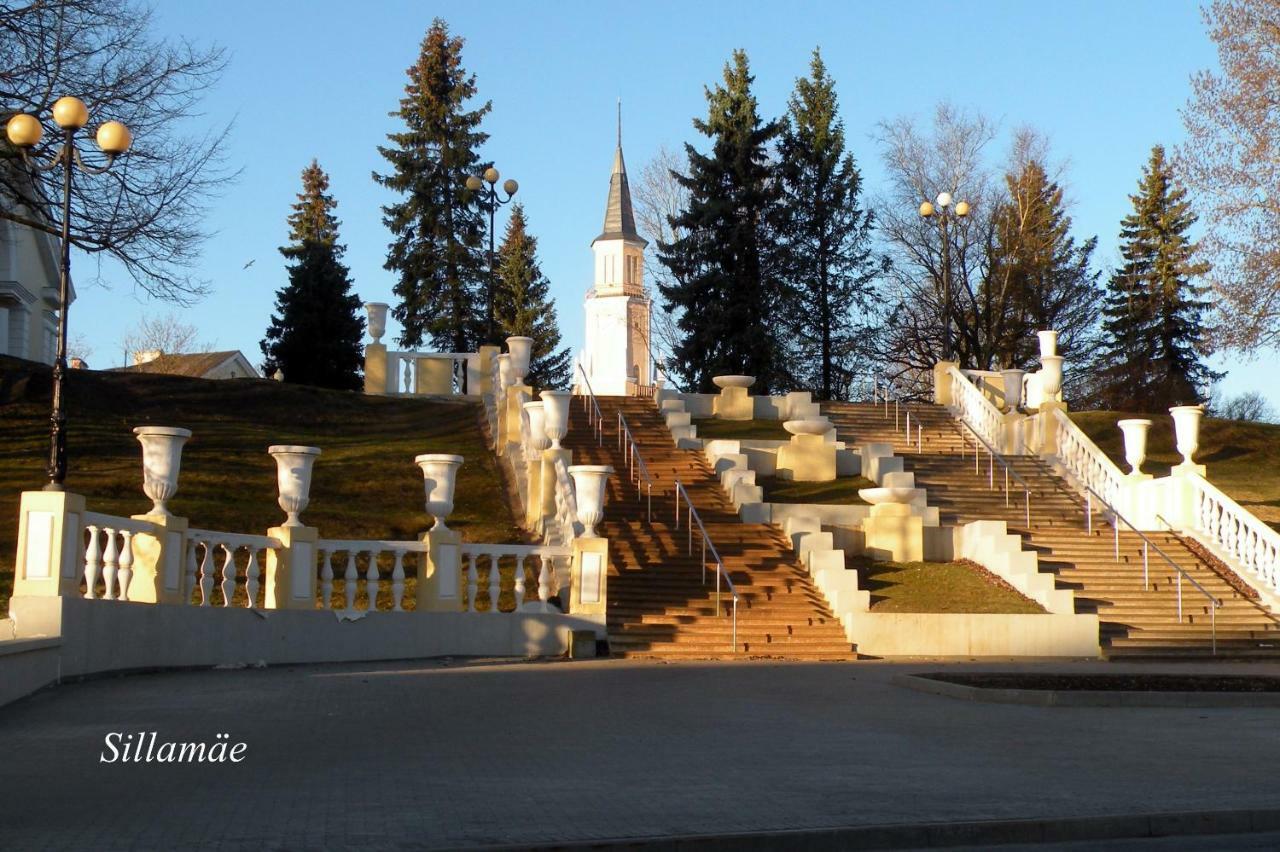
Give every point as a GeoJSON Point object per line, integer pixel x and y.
{"type": "Point", "coordinates": [1135, 621]}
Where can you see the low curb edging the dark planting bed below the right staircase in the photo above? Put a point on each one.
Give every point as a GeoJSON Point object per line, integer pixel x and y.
{"type": "Point", "coordinates": [1087, 698]}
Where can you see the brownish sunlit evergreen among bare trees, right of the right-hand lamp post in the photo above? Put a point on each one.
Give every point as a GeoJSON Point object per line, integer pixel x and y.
{"type": "Point", "coordinates": [1039, 276]}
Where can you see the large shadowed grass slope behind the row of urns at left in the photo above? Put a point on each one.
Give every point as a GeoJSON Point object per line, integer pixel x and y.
{"type": "Point", "coordinates": [365, 483]}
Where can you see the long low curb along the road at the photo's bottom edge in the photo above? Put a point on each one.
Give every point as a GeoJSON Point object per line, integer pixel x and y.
{"type": "Point", "coordinates": [947, 835]}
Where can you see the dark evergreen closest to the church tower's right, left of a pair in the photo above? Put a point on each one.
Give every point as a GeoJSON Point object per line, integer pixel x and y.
{"type": "Point", "coordinates": [724, 263]}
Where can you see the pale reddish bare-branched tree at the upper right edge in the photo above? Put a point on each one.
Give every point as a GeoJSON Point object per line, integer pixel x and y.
{"type": "Point", "coordinates": [1232, 164]}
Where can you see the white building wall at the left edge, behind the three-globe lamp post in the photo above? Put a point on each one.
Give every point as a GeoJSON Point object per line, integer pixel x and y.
{"type": "Point", "coordinates": [29, 292]}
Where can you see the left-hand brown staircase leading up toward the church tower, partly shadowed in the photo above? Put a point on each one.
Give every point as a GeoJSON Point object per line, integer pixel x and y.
{"type": "Point", "coordinates": [660, 606]}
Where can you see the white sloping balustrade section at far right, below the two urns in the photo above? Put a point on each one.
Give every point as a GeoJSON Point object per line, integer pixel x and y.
{"type": "Point", "coordinates": [1227, 526]}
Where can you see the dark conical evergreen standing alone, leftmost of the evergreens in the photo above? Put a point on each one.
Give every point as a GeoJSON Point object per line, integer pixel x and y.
{"type": "Point", "coordinates": [316, 333]}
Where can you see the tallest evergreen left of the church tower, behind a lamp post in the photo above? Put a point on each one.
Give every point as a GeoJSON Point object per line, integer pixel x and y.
{"type": "Point", "coordinates": [440, 233]}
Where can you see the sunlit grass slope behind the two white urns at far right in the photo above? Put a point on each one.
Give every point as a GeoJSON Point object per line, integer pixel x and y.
{"type": "Point", "coordinates": [1242, 459]}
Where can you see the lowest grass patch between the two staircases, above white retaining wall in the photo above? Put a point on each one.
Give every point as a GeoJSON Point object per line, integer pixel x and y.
{"type": "Point", "coordinates": [938, 588]}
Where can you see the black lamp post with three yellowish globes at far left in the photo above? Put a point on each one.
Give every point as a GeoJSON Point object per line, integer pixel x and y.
{"type": "Point", "coordinates": [113, 139]}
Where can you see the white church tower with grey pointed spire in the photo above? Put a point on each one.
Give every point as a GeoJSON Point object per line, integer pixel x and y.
{"type": "Point", "coordinates": [618, 356]}
